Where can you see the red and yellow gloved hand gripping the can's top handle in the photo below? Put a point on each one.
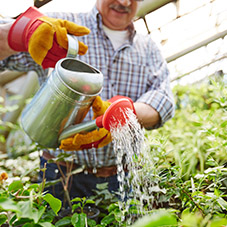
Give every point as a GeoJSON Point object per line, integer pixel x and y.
{"type": "Point", "coordinates": [43, 37]}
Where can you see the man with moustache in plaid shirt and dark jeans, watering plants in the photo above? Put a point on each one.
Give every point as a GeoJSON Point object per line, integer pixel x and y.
{"type": "Point", "coordinates": [132, 66]}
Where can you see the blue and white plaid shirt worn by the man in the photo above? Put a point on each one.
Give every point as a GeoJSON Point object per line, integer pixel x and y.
{"type": "Point", "coordinates": [136, 70]}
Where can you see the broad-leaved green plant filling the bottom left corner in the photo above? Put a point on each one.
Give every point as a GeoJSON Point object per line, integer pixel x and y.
{"type": "Point", "coordinates": [25, 205]}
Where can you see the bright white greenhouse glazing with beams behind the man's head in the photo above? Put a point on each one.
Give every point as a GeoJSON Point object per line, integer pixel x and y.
{"type": "Point", "coordinates": [191, 34]}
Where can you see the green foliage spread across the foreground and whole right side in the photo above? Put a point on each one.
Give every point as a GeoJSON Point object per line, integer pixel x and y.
{"type": "Point", "coordinates": [184, 183]}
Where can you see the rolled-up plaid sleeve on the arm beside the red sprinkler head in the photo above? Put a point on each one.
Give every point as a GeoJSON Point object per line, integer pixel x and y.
{"type": "Point", "coordinates": [159, 95]}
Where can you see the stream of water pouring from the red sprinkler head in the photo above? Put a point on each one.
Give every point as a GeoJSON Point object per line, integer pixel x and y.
{"type": "Point", "coordinates": [131, 152]}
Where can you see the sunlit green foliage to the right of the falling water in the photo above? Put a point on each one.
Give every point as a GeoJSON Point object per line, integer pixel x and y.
{"type": "Point", "coordinates": [188, 154]}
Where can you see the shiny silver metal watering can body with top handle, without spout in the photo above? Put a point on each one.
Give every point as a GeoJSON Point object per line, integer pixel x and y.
{"type": "Point", "coordinates": [63, 100]}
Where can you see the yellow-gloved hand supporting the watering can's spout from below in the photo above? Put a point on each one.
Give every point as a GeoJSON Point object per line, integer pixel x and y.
{"type": "Point", "coordinates": [96, 138]}
